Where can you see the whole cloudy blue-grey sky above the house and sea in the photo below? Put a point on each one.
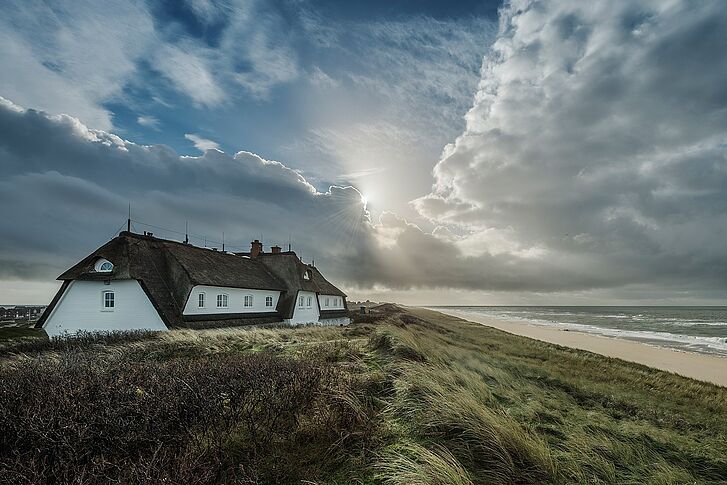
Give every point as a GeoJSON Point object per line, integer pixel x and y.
{"type": "Point", "coordinates": [427, 152]}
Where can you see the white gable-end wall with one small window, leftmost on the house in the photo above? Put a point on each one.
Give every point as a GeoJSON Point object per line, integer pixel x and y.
{"type": "Point", "coordinates": [80, 309]}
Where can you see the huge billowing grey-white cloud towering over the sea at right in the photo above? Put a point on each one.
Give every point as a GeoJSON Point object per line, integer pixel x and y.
{"type": "Point", "coordinates": [596, 147]}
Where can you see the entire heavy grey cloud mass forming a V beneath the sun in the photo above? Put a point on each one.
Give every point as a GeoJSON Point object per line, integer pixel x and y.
{"type": "Point", "coordinates": [594, 157]}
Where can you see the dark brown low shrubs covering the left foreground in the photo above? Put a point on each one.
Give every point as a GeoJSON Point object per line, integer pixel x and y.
{"type": "Point", "coordinates": [83, 419]}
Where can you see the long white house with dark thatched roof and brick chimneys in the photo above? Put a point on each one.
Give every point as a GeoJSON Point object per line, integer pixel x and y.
{"type": "Point", "coordinates": [141, 282]}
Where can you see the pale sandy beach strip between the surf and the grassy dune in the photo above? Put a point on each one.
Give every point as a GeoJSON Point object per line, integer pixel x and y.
{"type": "Point", "coordinates": [703, 367]}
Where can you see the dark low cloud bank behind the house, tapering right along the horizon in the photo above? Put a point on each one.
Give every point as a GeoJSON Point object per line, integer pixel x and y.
{"type": "Point", "coordinates": [65, 190]}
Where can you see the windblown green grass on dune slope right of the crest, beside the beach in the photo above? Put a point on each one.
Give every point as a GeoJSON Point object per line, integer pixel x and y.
{"type": "Point", "coordinates": [511, 409]}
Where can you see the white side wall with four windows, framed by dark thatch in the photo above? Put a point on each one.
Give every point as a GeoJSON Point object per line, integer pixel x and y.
{"type": "Point", "coordinates": [235, 300]}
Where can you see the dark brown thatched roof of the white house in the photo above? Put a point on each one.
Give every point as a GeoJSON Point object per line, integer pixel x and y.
{"type": "Point", "coordinates": [168, 270]}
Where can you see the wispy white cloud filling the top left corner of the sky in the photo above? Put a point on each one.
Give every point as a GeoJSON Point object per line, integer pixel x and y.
{"type": "Point", "coordinates": [69, 58]}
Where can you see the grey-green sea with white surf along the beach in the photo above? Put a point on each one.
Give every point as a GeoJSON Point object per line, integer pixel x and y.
{"type": "Point", "coordinates": [691, 329]}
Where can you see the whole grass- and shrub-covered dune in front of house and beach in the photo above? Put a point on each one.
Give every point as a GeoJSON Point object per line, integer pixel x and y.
{"type": "Point", "coordinates": [411, 397]}
